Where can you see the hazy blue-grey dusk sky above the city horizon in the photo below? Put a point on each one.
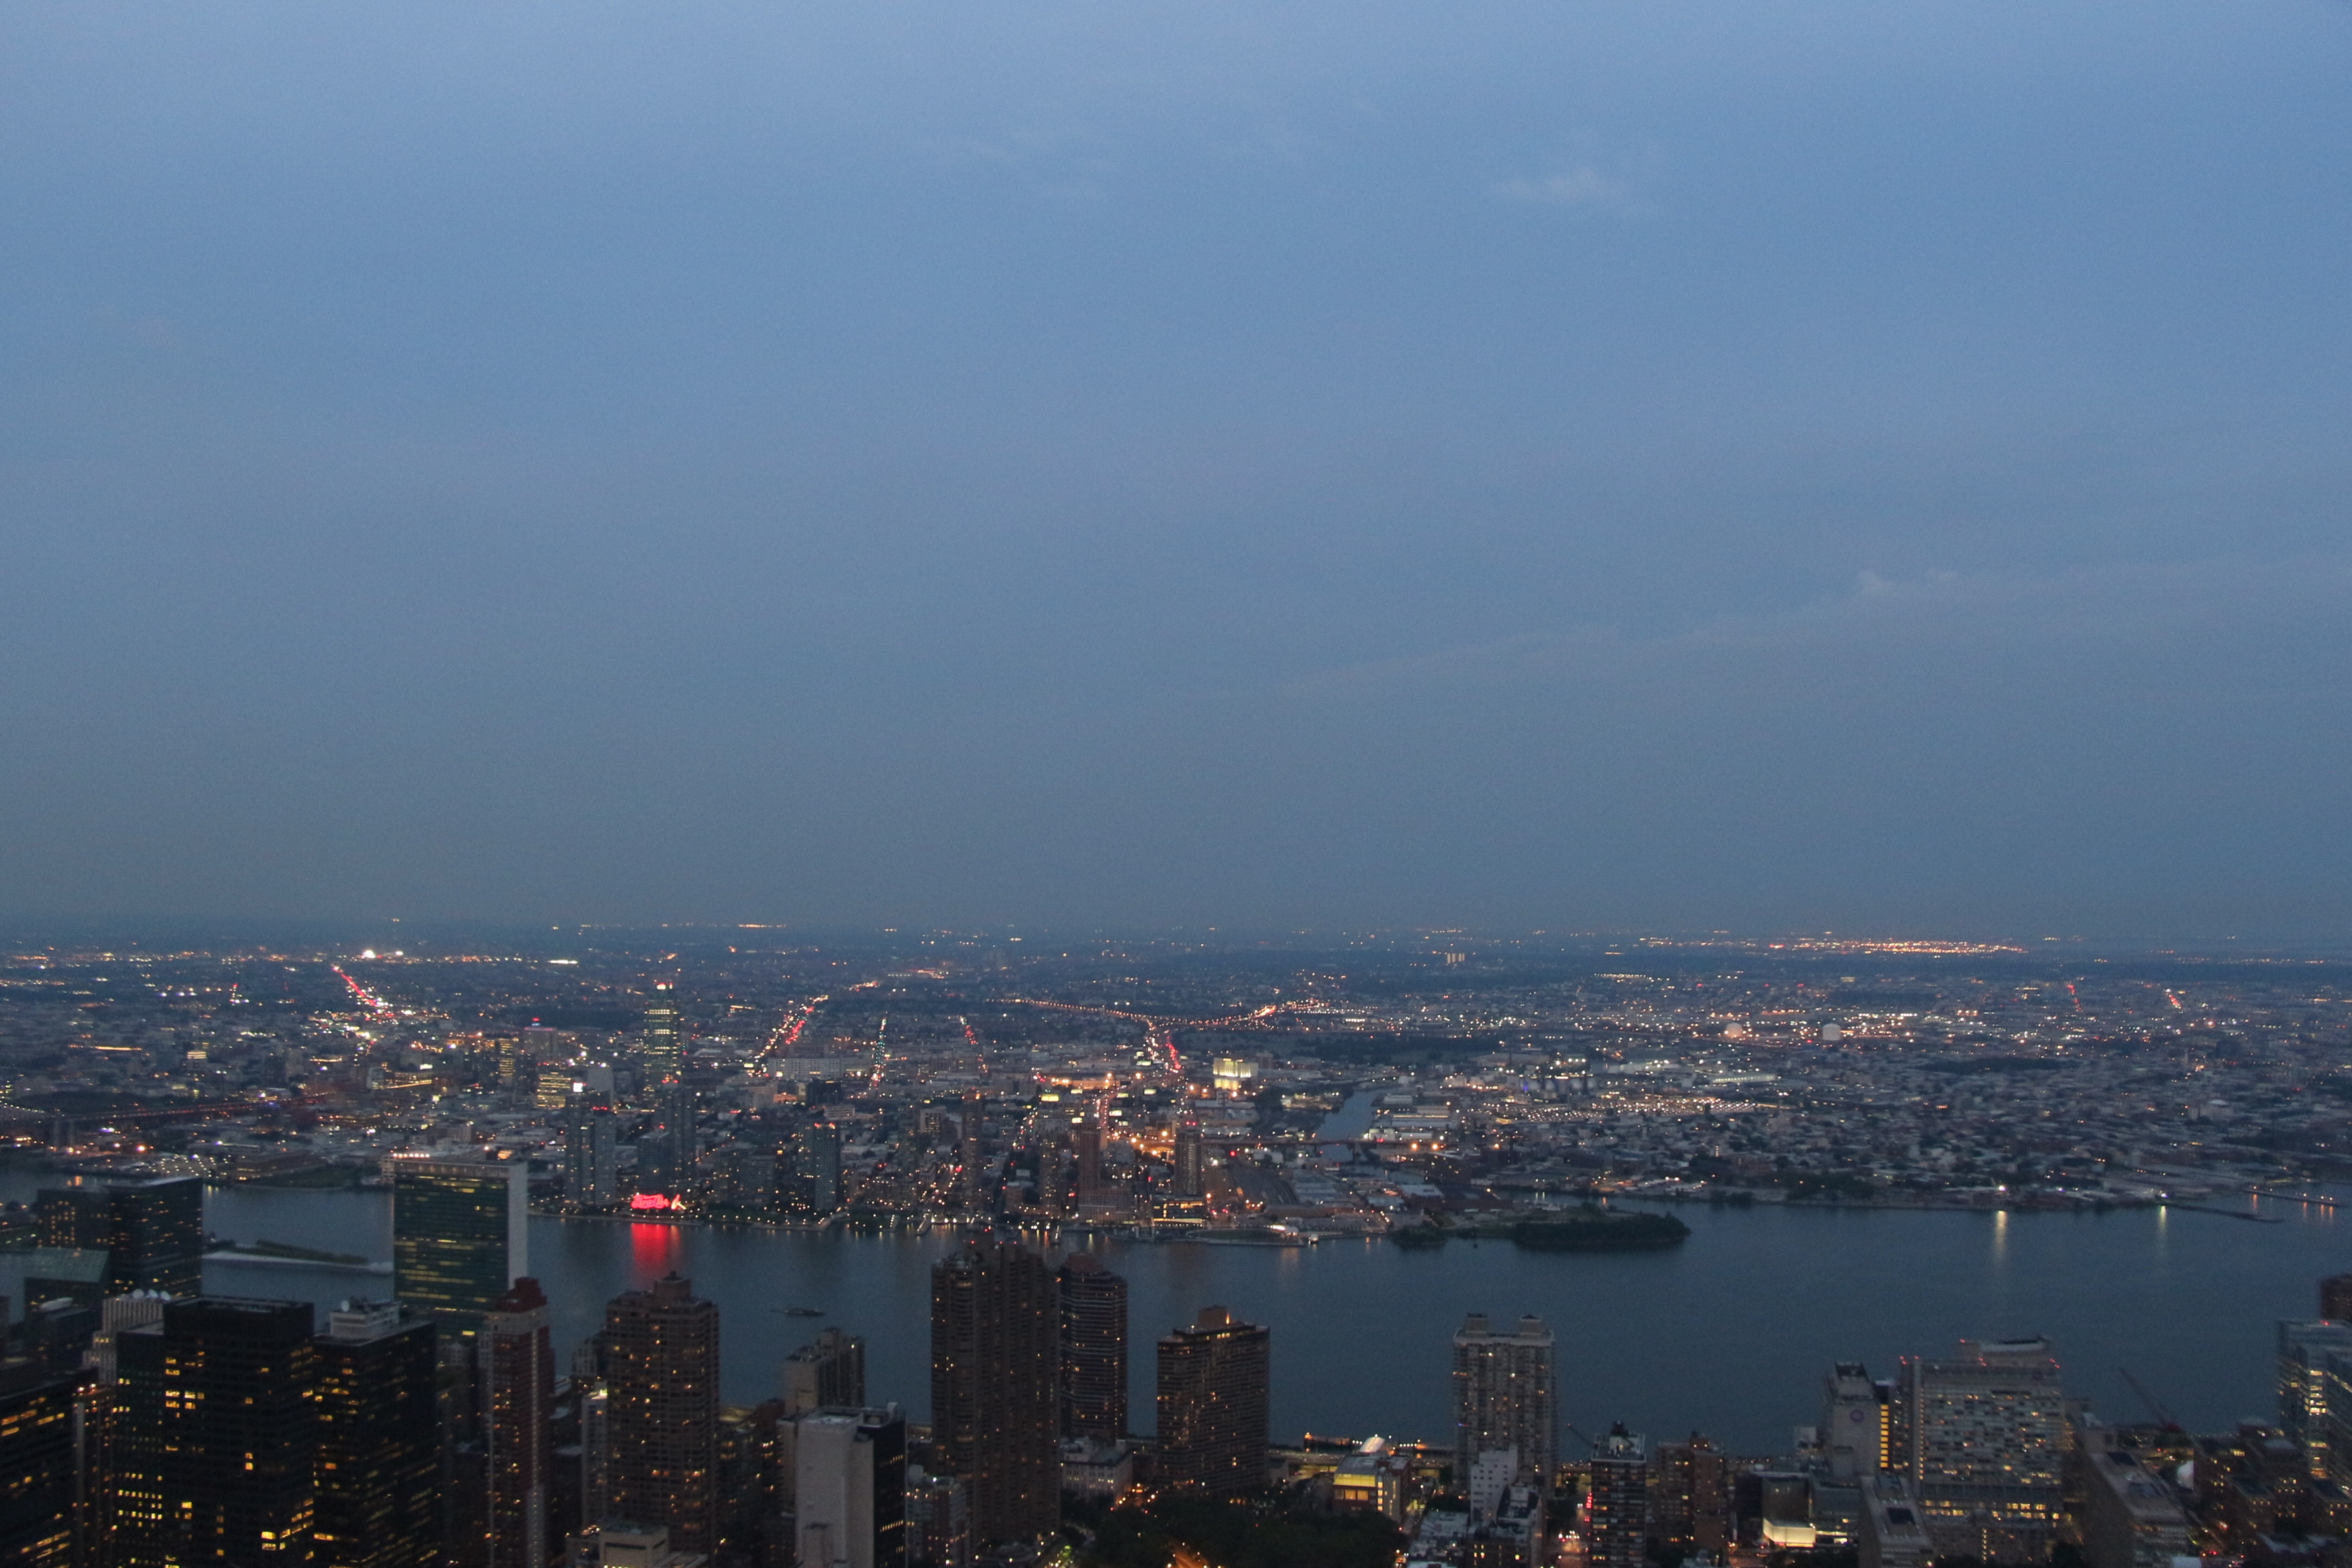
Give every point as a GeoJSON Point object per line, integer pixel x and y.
{"type": "Point", "coordinates": [1521, 464]}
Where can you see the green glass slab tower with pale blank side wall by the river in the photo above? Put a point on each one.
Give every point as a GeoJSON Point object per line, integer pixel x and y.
{"type": "Point", "coordinates": [460, 1235]}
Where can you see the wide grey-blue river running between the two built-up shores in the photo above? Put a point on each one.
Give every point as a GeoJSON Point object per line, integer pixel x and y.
{"type": "Point", "coordinates": [1728, 1334]}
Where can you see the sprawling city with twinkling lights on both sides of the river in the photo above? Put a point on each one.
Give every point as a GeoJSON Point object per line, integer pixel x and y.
{"type": "Point", "coordinates": [1031, 1094]}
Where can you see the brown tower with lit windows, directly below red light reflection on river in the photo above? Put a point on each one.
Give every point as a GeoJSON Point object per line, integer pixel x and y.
{"type": "Point", "coordinates": [662, 1412]}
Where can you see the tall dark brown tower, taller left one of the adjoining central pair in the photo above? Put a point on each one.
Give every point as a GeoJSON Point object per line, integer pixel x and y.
{"type": "Point", "coordinates": [996, 1407]}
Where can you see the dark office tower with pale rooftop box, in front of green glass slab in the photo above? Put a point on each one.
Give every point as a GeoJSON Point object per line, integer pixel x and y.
{"type": "Point", "coordinates": [377, 1440]}
